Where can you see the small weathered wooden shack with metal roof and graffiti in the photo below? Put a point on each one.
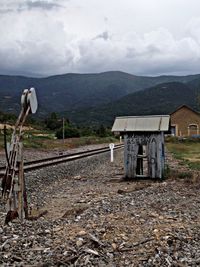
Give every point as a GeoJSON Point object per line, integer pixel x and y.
{"type": "Point", "coordinates": [144, 154]}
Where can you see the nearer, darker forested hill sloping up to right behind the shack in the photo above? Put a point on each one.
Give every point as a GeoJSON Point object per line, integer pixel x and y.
{"type": "Point", "coordinates": [160, 99]}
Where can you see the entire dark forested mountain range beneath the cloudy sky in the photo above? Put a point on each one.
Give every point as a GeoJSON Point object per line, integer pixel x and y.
{"type": "Point", "coordinates": [98, 98]}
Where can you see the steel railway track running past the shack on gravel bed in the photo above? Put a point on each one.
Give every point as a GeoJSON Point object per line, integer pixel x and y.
{"type": "Point", "coordinates": [45, 162]}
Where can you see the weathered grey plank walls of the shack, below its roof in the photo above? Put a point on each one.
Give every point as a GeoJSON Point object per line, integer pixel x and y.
{"type": "Point", "coordinates": [154, 143]}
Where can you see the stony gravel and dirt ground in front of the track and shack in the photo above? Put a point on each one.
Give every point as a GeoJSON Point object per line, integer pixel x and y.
{"type": "Point", "coordinates": [95, 218]}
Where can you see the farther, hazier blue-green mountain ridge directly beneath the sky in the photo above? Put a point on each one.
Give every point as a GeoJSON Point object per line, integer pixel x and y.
{"type": "Point", "coordinates": [70, 92]}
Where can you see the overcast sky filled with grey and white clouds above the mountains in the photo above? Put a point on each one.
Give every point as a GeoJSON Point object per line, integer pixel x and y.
{"type": "Point", "coordinates": [142, 37]}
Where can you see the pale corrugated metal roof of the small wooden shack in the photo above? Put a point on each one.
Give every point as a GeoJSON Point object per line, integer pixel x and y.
{"type": "Point", "coordinates": [154, 123]}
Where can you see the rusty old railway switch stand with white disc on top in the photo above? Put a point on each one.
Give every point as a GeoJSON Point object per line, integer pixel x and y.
{"type": "Point", "coordinates": [13, 182]}
